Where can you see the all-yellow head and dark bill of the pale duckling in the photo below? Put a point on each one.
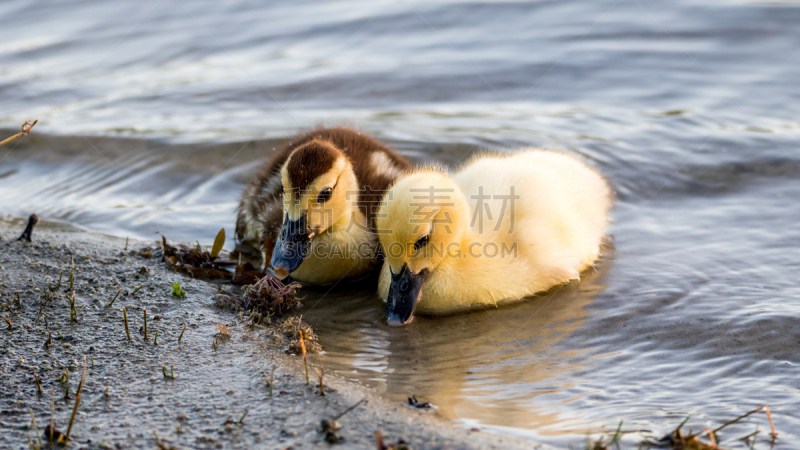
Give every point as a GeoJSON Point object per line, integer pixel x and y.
{"type": "Point", "coordinates": [420, 224]}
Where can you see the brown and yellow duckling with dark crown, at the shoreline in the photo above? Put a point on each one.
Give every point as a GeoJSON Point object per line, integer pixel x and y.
{"type": "Point", "coordinates": [312, 207]}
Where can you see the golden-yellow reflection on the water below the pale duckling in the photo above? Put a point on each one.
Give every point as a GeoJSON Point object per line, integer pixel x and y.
{"type": "Point", "coordinates": [490, 366]}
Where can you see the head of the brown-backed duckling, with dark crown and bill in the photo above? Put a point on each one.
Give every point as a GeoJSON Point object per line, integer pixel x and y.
{"type": "Point", "coordinates": [319, 190]}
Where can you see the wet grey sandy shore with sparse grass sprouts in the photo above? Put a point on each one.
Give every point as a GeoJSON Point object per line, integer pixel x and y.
{"type": "Point", "coordinates": [218, 398]}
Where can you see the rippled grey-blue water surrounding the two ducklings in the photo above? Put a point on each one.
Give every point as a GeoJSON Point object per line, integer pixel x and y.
{"type": "Point", "coordinates": [154, 114]}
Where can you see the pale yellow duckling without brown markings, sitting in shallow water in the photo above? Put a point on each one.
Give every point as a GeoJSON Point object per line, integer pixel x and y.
{"type": "Point", "coordinates": [502, 228]}
